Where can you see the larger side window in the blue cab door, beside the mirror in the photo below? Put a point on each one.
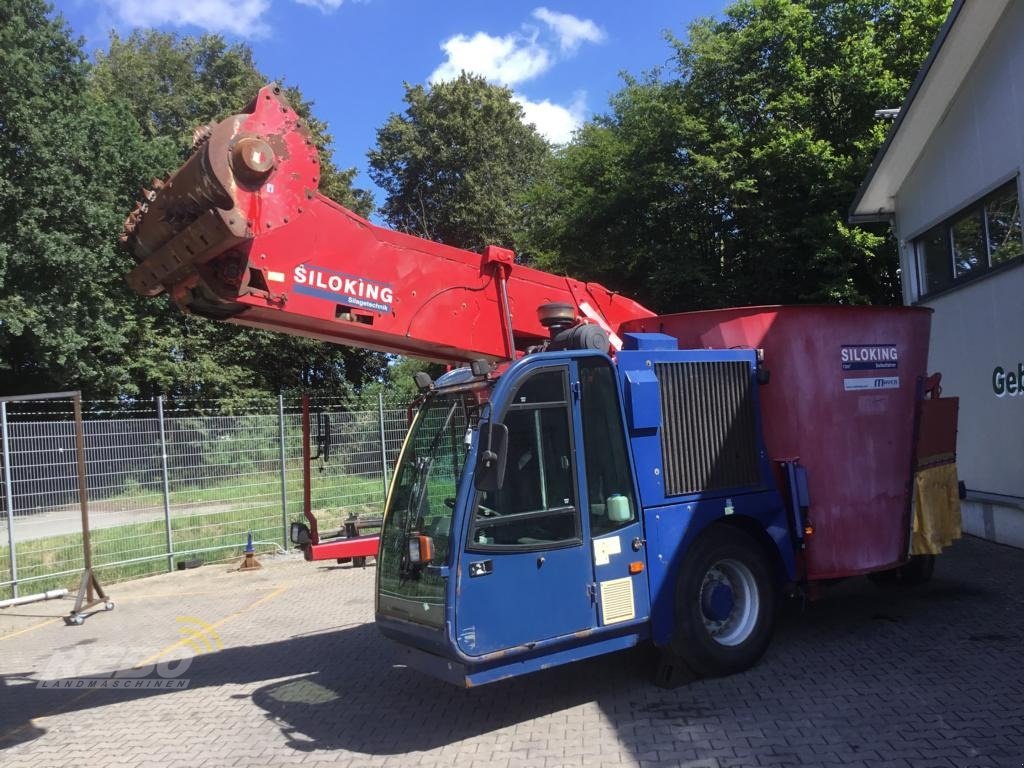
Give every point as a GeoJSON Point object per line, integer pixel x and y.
{"type": "Point", "coordinates": [536, 508]}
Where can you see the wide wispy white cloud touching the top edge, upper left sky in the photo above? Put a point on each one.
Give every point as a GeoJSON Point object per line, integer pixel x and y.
{"type": "Point", "coordinates": [241, 18]}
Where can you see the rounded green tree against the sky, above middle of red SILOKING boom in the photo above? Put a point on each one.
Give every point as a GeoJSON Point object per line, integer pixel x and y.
{"type": "Point", "coordinates": [456, 164]}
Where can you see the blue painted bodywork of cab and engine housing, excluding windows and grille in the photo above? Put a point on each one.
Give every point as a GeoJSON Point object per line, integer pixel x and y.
{"type": "Point", "coordinates": [539, 609]}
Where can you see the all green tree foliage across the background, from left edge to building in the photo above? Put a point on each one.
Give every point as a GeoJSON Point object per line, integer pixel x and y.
{"type": "Point", "coordinates": [722, 179]}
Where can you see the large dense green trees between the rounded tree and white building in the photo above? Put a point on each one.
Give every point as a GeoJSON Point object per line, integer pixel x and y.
{"type": "Point", "coordinates": [727, 179]}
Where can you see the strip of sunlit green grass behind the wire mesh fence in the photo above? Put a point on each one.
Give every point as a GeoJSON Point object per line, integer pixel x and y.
{"type": "Point", "coordinates": [253, 506]}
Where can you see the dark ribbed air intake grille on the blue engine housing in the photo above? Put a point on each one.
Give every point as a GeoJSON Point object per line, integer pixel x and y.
{"type": "Point", "coordinates": [708, 434]}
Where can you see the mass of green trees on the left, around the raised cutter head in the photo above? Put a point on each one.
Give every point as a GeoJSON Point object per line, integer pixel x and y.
{"type": "Point", "coordinates": [76, 144]}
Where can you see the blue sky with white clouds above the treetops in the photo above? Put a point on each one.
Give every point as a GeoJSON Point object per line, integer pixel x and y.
{"type": "Point", "coordinates": [563, 60]}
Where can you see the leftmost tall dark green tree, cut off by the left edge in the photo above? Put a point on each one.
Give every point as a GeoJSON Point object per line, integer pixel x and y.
{"type": "Point", "coordinates": [69, 164]}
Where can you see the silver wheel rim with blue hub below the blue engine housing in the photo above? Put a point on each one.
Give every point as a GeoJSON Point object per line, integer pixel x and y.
{"type": "Point", "coordinates": [730, 603]}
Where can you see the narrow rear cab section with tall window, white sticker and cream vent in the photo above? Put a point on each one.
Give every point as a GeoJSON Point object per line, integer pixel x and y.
{"type": "Point", "coordinates": [614, 522]}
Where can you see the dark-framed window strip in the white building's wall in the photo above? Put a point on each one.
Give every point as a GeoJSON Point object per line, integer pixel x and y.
{"type": "Point", "coordinates": [969, 244]}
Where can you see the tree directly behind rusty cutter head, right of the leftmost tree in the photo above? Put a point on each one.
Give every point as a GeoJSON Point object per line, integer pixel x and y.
{"type": "Point", "coordinates": [176, 83]}
